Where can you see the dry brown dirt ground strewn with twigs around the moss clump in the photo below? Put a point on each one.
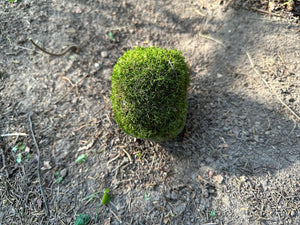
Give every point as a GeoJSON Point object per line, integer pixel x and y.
{"type": "Point", "coordinates": [239, 160]}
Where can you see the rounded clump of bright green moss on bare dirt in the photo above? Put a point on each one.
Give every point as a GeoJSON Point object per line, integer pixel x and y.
{"type": "Point", "coordinates": [149, 89]}
